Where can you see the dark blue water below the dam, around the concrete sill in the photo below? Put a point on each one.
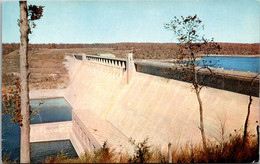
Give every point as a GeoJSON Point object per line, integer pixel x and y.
{"type": "Point", "coordinates": [52, 110]}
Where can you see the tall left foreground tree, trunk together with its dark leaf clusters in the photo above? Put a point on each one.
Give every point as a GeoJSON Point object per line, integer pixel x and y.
{"type": "Point", "coordinates": [35, 13]}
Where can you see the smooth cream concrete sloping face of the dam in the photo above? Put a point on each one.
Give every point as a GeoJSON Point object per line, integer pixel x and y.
{"type": "Point", "coordinates": [165, 110]}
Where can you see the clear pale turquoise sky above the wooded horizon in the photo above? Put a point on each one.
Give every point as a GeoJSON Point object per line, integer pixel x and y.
{"type": "Point", "coordinates": [111, 21]}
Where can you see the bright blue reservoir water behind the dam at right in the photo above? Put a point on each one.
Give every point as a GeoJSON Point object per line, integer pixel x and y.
{"type": "Point", "coordinates": [247, 64]}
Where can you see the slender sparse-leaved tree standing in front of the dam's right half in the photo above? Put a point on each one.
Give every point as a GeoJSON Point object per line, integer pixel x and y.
{"type": "Point", "coordinates": [192, 44]}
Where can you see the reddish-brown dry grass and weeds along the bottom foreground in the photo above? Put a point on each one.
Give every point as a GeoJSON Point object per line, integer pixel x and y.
{"type": "Point", "coordinates": [230, 150]}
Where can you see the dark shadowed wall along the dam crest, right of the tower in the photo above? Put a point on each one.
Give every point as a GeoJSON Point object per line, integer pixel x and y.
{"type": "Point", "coordinates": [226, 79]}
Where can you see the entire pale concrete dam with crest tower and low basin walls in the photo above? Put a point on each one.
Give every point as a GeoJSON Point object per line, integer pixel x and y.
{"type": "Point", "coordinates": [113, 102]}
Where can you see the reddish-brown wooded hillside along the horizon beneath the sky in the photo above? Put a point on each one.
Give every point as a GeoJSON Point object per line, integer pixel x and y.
{"type": "Point", "coordinates": [143, 50]}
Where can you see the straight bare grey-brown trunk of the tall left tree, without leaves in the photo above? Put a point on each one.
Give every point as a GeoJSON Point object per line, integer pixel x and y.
{"type": "Point", "coordinates": [25, 109]}
